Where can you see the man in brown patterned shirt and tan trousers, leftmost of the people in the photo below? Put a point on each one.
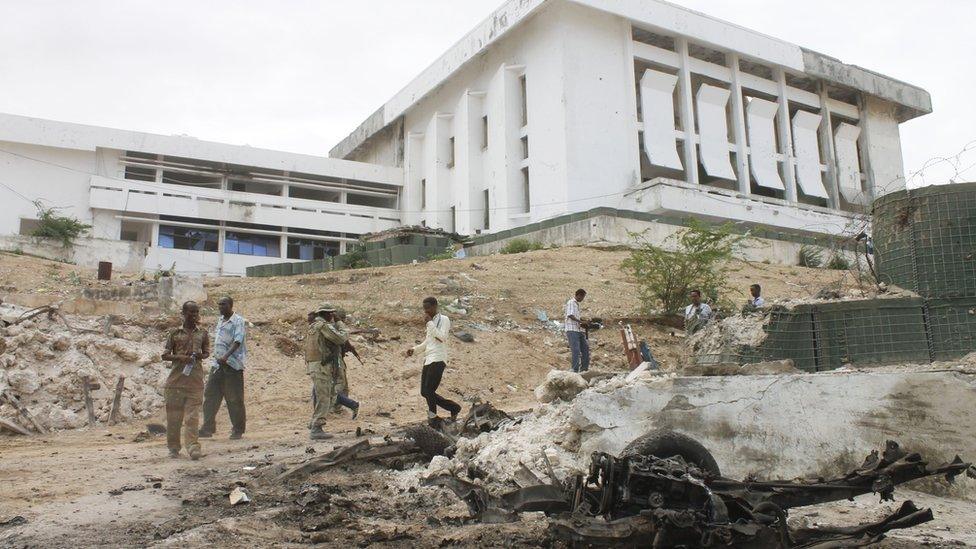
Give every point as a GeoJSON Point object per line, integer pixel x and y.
{"type": "Point", "coordinates": [186, 348]}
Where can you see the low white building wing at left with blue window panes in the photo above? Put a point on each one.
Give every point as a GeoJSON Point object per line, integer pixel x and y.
{"type": "Point", "coordinates": [206, 207]}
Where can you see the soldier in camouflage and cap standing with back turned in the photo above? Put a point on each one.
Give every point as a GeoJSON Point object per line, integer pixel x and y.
{"type": "Point", "coordinates": [323, 347]}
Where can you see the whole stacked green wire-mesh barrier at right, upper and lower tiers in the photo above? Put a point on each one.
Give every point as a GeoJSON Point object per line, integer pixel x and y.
{"type": "Point", "coordinates": [925, 242]}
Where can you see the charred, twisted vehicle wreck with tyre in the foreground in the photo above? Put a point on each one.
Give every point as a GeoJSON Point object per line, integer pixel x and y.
{"type": "Point", "coordinates": [666, 490]}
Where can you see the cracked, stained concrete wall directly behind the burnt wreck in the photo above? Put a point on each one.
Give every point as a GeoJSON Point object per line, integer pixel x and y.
{"type": "Point", "coordinates": [787, 426]}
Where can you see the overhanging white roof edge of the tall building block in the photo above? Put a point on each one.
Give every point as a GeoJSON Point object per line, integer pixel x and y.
{"type": "Point", "coordinates": [656, 14]}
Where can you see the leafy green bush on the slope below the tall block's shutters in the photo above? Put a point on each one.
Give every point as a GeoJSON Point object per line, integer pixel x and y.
{"type": "Point", "coordinates": [697, 261]}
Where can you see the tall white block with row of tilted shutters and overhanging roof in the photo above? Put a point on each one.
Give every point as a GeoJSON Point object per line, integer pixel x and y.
{"type": "Point", "coordinates": [551, 107]}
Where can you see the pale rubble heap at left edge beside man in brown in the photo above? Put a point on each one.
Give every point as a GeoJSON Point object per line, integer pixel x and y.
{"type": "Point", "coordinates": [43, 363]}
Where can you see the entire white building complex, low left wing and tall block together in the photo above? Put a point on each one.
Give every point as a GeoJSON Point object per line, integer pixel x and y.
{"type": "Point", "coordinates": [548, 107]}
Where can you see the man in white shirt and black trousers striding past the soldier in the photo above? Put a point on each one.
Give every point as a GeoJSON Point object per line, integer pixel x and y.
{"type": "Point", "coordinates": [434, 349]}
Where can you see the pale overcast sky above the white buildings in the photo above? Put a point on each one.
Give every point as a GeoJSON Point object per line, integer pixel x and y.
{"type": "Point", "coordinates": [299, 75]}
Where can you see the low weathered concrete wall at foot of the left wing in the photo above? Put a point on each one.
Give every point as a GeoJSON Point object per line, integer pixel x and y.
{"type": "Point", "coordinates": [84, 252]}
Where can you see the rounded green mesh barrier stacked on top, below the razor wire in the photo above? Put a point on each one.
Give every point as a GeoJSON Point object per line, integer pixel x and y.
{"type": "Point", "coordinates": [925, 239]}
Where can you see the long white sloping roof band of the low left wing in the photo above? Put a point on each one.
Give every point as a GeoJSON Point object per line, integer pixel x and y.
{"type": "Point", "coordinates": [68, 135]}
